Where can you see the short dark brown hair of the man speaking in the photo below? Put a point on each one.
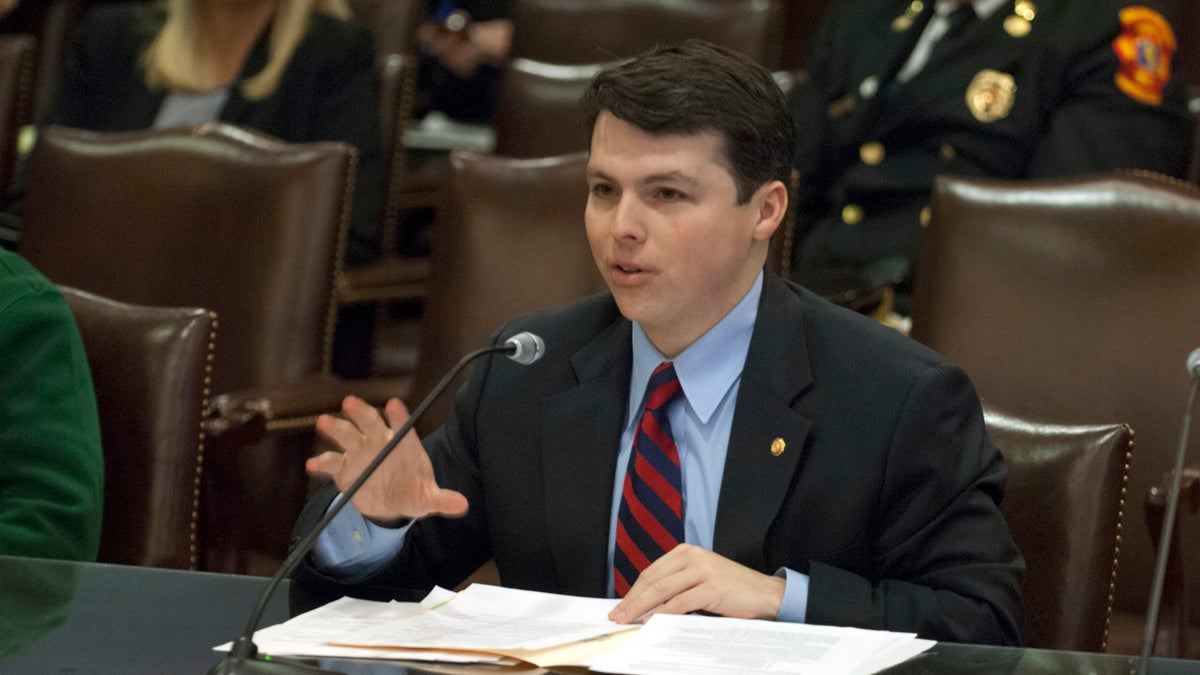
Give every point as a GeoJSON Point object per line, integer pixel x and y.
{"type": "Point", "coordinates": [693, 87]}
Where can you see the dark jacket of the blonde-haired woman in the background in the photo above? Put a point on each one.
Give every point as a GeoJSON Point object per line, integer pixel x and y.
{"type": "Point", "coordinates": [329, 92]}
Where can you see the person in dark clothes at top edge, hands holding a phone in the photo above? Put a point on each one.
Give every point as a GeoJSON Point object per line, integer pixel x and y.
{"type": "Point", "coordinates": [464, 47]}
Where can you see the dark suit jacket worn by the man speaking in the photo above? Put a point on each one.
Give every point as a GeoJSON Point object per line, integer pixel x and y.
{"type": "Point", "coordinates": [886, 495]}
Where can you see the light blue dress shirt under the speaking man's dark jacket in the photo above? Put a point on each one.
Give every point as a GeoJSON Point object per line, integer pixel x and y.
{"type": "Point", "coordinates": [710, 373]}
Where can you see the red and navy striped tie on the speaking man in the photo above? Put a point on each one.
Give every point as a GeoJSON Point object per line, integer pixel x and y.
{"type": "Point", "coordinates": [650, 522]}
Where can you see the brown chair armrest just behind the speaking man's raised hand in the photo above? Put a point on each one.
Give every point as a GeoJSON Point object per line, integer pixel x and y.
{"type": "Point", "coordinates": [253, 414]}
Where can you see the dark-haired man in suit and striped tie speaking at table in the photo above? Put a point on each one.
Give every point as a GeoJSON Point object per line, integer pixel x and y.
{"type": "Point", "coordinates": [789, 459]}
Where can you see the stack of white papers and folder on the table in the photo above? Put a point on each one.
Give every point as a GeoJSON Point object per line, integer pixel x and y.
{"type": "Point", "coordinates": [494, 625]}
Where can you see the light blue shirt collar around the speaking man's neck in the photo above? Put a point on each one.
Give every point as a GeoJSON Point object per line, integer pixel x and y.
{"type": "Point", "coordinates": [710, 366]}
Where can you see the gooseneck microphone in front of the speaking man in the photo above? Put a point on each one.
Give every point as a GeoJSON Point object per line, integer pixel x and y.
{"type": "Point", "coordinates": [244, 659]}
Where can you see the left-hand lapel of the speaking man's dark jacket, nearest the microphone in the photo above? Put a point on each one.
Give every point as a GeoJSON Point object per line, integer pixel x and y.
{"type": "Point", "coordinates": [581, 431]}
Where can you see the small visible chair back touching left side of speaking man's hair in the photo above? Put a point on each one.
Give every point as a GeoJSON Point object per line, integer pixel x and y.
{"type": "Point", "coordinates": [538, 109]}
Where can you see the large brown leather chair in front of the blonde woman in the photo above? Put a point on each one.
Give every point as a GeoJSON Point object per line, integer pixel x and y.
{"type": "Point", "coordinates": [229, 219]}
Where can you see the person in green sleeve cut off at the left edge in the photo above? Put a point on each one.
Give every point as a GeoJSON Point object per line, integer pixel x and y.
{"type": "Point", "coordinates": [53, 470]}
